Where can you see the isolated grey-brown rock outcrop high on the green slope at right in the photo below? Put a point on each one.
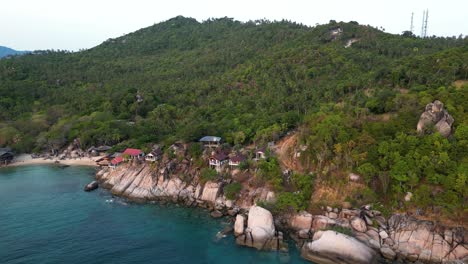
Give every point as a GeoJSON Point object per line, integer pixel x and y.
{"type": "Point", "coordinates": [435, 115]}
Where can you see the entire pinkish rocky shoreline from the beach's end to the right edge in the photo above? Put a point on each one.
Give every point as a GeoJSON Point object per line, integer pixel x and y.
{"type": "Point", "coordinates": [335, 236]}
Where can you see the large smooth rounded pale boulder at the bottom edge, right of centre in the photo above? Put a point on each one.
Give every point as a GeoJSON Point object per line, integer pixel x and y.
{"type": "Point", "coordinates": [333, 247]}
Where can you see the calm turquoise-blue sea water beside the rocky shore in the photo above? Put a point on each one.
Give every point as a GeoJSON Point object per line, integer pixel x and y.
{"type": "Point", "coordinates": [46, 217]}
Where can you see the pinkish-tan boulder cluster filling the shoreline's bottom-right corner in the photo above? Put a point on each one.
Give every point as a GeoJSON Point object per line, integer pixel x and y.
{"type": "Point", "coordinates": [369, 233]}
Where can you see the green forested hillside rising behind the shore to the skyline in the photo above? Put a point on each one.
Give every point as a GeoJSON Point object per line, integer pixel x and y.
{"type": "Point", "coordinates": [353, 92]}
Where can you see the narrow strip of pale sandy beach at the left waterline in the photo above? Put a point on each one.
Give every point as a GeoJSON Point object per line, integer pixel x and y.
{"type": "Point", "coordinates": [26, 159]}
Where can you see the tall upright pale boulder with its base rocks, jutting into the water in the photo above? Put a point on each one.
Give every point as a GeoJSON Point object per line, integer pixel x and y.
{"type": "Point", "coordinates": [260, 232]}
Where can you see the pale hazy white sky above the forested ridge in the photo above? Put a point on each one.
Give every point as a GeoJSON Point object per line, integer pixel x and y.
{"type": "Point", "coordinates": [76, 24]}
